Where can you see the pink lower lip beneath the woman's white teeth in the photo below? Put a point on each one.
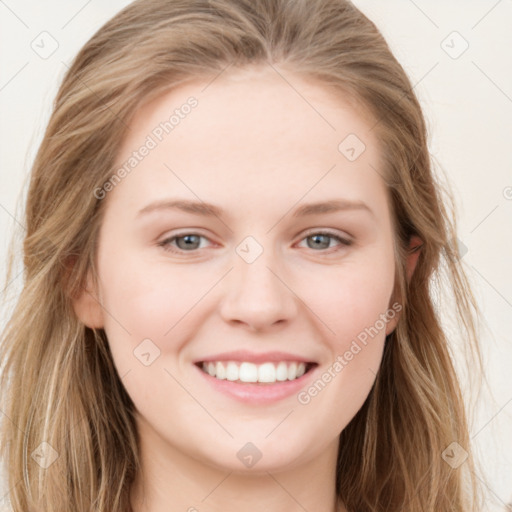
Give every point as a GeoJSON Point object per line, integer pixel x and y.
{"type": "Point", "coordinates": [256, 393]}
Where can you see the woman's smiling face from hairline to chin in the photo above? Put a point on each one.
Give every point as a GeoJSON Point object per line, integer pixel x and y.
{"type": "Point", "coordinates": [215, 247]}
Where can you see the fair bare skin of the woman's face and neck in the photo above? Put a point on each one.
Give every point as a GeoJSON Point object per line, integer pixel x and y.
{"type": "Point", "coordinates": [256, 148]}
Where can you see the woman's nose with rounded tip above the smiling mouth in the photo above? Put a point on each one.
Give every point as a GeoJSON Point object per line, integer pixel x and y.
{"type": "Point", "coordinates": [257, 294]}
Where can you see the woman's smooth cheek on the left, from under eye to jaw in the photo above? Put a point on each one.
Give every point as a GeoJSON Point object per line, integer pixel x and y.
{"type": "Point", "coordinates": [152, 313]}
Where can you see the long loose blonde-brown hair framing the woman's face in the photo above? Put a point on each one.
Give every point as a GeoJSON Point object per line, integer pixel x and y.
{"type": "Point", "coordinates": [61, 395]}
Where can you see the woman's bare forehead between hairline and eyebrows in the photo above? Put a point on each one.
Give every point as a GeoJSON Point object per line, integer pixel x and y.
{"type": "Point", "coordinates": [252, 132]}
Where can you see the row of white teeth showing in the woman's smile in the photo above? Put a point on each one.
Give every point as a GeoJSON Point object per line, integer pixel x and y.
{"type": "Point", "coordinates": [250, 372]}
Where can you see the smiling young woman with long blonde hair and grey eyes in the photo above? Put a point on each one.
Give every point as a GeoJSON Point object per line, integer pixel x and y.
{"type": "Point", "coordinates": [260, 369]}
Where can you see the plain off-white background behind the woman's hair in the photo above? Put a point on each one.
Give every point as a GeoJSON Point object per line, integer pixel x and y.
{"type": "Point", "coordinates": [467, 100]}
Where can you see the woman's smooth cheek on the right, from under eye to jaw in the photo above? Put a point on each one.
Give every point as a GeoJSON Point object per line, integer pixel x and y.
{"type": "Point", "coordinates": [352, 307]}
